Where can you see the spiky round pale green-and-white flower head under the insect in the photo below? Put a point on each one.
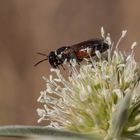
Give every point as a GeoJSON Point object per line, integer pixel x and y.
{"type": "Point", "coordinates": [101, 97]}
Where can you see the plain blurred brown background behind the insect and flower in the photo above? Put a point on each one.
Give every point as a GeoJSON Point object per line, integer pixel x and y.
{"type": "Point", "coordinates": [30, 26]}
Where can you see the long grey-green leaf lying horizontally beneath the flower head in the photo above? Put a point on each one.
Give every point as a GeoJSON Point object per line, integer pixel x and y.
{"type": "Point", "coordinates": [33, 131]}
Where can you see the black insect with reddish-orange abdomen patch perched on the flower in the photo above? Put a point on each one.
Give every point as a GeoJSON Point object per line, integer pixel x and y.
{"type": "Point", "coordinates": [77, 51]}
